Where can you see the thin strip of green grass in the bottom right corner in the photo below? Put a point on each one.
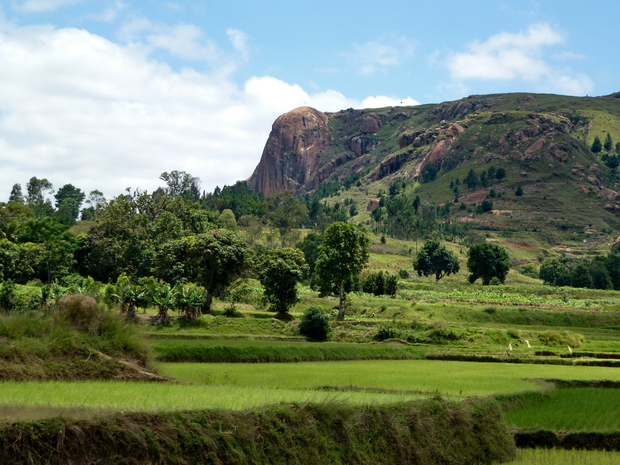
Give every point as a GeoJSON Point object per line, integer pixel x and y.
{"type": "Point", "coordinates": [564, 457]}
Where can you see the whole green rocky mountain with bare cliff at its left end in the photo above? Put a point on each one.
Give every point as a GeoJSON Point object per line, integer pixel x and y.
{"type": "Point", "coordinates": [541, 142]}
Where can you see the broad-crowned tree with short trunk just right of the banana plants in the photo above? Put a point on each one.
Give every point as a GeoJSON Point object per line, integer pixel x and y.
{"type": "Point", "coordinates": [213, 260]}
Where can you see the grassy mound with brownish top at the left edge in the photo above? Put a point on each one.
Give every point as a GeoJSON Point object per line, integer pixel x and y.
{"type": "Point", "coordinates": [76, 340]}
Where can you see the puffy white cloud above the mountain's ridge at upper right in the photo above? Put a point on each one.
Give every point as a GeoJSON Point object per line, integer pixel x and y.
{"type": "Point", "coordinates": [507, 56]}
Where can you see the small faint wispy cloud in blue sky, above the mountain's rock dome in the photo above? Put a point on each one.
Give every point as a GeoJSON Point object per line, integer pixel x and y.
{"type": "Point", "coordinates": [378, 55]}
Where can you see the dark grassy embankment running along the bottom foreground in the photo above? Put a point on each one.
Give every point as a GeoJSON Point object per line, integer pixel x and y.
{"type": "Point", "coordinates": [433, 431]}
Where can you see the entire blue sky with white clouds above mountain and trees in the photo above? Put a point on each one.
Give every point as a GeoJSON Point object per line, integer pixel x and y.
{"type": "Point", "coordinates": [109, 94]}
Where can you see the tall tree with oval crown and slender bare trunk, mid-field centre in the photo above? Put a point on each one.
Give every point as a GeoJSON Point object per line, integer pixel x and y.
{"type": "Point", "coordinates": [342, 256]}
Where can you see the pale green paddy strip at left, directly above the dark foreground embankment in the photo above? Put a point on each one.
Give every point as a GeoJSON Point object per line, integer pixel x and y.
{"type": "Point", "coordinates": [135, 396]}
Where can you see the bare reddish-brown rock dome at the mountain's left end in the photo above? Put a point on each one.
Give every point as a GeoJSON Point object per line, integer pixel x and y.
{"type": "Point", "coordinates": [292, 154]}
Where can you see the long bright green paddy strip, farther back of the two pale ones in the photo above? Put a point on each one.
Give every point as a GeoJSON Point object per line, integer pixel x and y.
{"type": "Point", "coordinates": [448, 378]}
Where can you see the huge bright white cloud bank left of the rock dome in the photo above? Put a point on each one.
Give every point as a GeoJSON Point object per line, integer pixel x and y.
{"type": "Point", "coordinates": [78, 108]}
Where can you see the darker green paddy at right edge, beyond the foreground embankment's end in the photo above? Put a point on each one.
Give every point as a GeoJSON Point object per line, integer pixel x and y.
{"type": "Point", "coordinates": [573, 409]}
